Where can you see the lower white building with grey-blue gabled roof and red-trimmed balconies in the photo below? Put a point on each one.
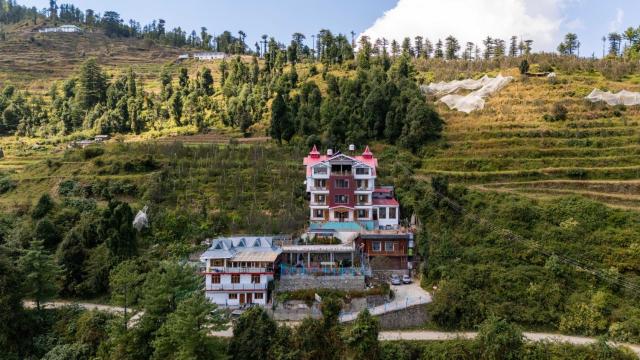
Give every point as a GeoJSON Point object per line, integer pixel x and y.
{"type": "Point", "coordinates": [238, 270]}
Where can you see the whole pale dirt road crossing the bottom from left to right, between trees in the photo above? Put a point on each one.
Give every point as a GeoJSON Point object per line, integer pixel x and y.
{"type": "Point", "coordinates": [419, 335]}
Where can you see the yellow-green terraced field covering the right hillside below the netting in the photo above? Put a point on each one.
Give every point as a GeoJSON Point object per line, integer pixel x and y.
{"type": "Point", "coordinates": [508, 146]}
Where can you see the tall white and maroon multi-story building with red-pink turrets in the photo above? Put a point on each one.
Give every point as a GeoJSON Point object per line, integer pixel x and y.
{"type": "Point", "coordinates": [342, 188]}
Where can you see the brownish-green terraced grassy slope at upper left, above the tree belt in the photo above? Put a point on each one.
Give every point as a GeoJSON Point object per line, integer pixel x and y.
{"type": "Point", "coordinates": [31, 60]}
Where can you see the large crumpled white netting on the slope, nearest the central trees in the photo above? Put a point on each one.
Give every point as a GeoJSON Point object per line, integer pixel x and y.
{"type": "Point", "coordinates": [482, 87]}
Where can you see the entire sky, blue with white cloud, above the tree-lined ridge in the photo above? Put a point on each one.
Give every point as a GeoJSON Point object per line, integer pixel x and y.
{"type": "Point", "coordinates": [545, 21]}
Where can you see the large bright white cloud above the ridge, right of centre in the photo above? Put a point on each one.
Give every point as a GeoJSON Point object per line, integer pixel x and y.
{"type": "Point", "coordinates": [473, 20]}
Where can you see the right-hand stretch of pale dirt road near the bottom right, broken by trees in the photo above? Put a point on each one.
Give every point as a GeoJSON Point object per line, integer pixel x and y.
{"type": "Point", "coordinates": [440, 336]}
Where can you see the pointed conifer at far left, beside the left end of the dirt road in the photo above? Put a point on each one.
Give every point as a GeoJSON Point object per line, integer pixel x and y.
{"type": "Point", "coordinates": [40, 273]}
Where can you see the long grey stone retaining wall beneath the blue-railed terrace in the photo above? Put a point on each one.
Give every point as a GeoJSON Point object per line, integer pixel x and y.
{"type": "Point", "coordinates": [302, 282]}
